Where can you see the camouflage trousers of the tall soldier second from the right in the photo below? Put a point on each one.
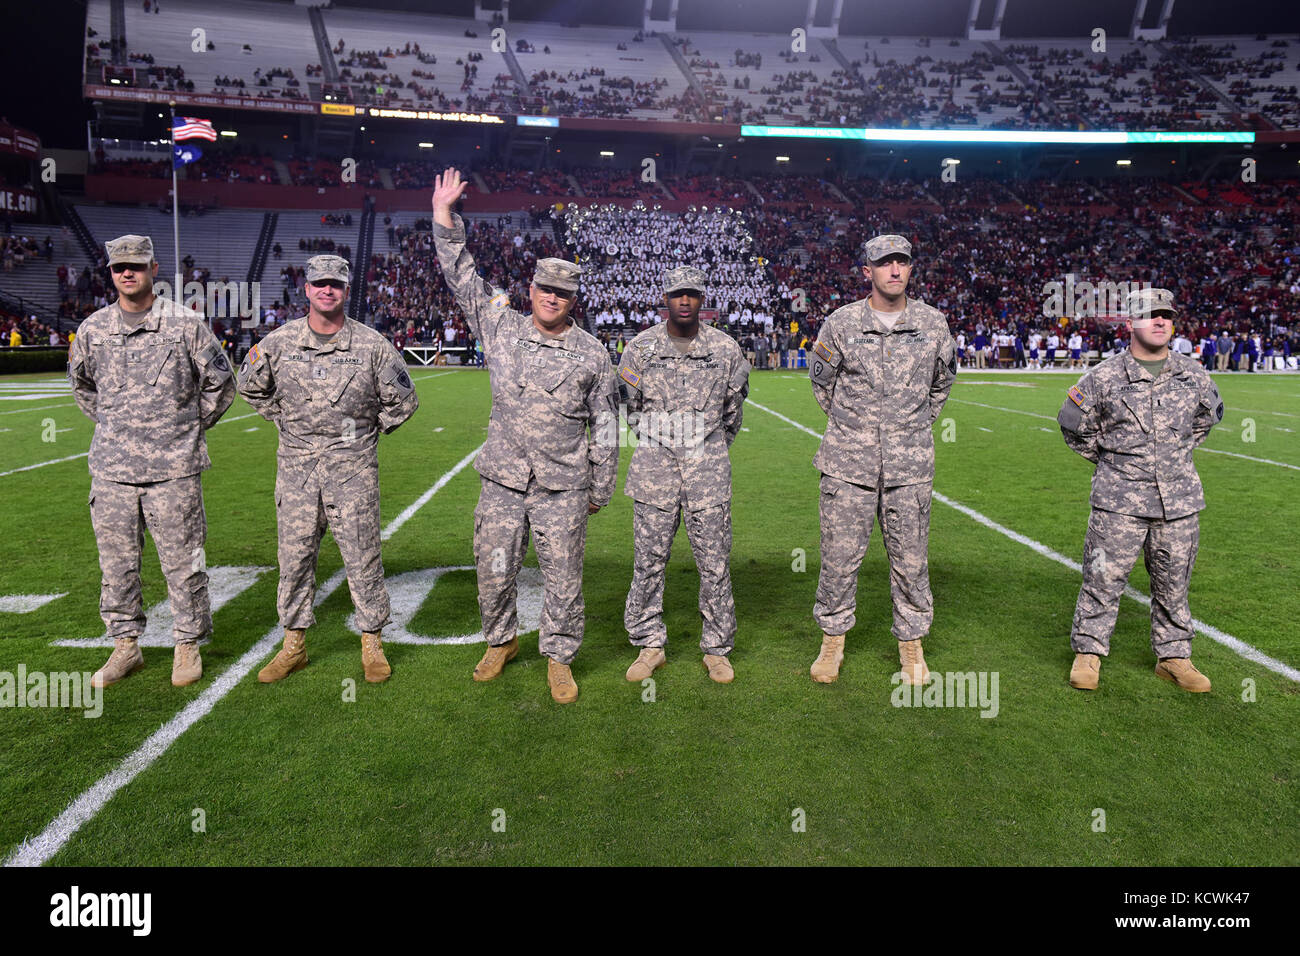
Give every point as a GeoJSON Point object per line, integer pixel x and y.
{"type": "Point", "coordinates": [848, 513]}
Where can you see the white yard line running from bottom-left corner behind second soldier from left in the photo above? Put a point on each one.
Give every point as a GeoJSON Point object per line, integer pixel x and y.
{"type": "Point", "coordinates": [41, 849]}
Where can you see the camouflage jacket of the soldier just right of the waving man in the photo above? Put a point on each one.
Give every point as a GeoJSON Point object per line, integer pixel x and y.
{"type": "Point", "coordinates": [686, 412]}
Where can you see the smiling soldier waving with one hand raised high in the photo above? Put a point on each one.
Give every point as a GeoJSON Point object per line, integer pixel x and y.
{"type": "Point", "coordinates": [552, 456]}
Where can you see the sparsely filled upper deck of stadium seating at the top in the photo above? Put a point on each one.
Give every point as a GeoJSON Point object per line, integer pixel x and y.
{"type": "Point", "coordinates": [417, 62]}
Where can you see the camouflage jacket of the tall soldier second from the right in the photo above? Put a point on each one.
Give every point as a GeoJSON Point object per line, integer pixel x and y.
{"type": "Point", "coordinates": [882, 392]}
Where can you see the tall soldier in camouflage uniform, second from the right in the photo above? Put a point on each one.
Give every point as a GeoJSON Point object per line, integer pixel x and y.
{"type": "Point", "coordinates": [882, 370]}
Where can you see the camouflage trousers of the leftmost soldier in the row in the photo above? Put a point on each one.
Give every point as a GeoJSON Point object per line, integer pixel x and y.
{"type": "Point", "coordinates": [174, 513]}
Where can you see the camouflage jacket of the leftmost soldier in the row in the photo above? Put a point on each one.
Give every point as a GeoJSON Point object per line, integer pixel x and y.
{"type": "Point", "coordinates": [153, 392]}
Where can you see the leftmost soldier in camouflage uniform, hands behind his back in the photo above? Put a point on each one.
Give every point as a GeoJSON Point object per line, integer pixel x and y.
{"type": "Point", "coordinates": [154, 379]}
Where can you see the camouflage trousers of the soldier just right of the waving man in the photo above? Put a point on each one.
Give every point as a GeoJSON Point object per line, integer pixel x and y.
{"type": "Point", "coordinates": [709, 533]}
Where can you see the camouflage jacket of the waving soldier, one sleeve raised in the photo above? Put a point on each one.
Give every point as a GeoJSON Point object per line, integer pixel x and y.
{"type": "Point", "coordinates": [554, 409]}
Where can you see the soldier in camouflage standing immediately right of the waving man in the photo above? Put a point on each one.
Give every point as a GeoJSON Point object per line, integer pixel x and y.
{"type": "Point", "coordinates": [687, 386]}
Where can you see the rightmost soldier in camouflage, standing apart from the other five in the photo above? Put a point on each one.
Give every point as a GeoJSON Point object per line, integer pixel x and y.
{"type": "Point", "coordinates": [1138, 417]}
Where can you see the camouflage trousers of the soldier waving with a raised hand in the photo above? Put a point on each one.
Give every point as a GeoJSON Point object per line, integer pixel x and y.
{"type": "Point", "coordinates": [558, 524]}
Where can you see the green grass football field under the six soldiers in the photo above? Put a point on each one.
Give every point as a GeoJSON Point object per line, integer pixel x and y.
{"type": "Point", "coordinates": [434, 768]}
